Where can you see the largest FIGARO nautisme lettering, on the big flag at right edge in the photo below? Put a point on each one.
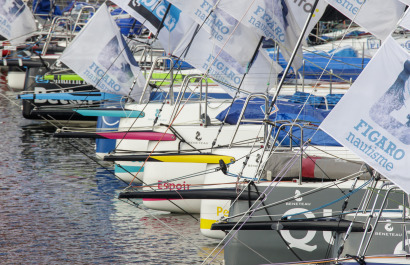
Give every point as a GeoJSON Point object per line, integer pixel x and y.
{"type": "Point", "coordinates": [380, 142]}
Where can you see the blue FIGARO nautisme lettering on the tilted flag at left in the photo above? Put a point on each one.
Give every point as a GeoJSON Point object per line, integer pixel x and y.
{"type": "Point", "coordinates": [101, 78]}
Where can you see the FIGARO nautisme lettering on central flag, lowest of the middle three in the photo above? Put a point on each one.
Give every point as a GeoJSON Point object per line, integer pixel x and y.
{"type": "Point", "coordinates": [221, 72]}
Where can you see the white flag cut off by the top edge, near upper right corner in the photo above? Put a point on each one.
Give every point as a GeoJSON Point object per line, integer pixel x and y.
{"type": "Point", "coordinates": [379, 17]}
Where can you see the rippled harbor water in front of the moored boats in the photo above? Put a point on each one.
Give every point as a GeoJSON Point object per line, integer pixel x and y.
{"type": "Point", "coordinates": [59, 205]}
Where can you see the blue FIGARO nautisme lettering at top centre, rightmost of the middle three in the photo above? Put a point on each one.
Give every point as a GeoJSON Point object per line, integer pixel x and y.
{"type": "Point", "coordinates": [269, 27]}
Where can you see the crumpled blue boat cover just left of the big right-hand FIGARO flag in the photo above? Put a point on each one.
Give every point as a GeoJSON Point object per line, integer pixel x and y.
{"type": "Point", "coordinates": [288, 111]}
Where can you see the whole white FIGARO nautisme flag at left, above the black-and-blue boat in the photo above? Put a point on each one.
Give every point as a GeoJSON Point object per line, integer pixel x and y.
{"type": "Point", "coordinates": [101, 57]}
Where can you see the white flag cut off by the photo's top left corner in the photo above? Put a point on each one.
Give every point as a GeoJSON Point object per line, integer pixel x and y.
{"type": "Point", "coordinates": [16, 21]}
